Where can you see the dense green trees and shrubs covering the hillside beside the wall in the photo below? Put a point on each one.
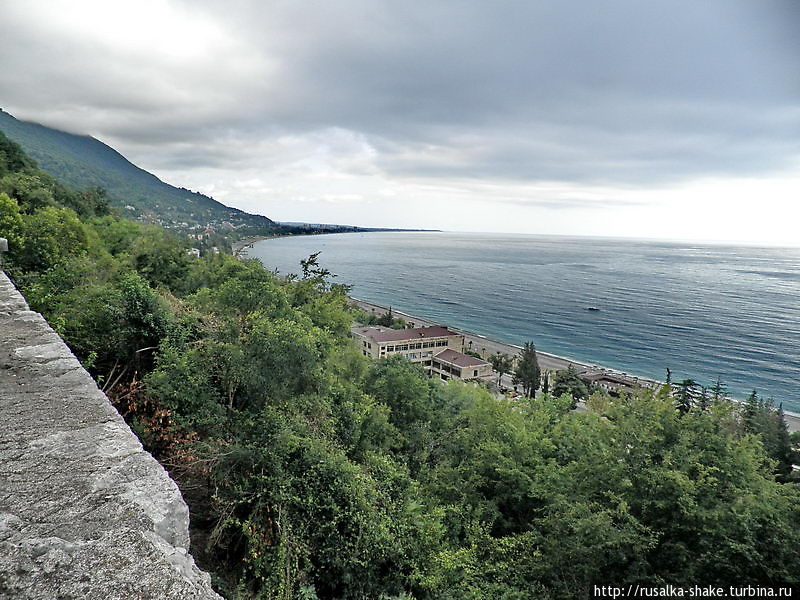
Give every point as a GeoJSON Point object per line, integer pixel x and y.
{"type": "Point", "coordinates": [312, 472]}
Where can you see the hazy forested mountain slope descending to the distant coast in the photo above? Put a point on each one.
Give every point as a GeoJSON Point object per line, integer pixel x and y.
{"type": "Point", "coordinates": [82, 161]}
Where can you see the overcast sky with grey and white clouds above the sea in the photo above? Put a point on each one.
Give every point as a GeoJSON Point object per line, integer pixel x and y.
{"type": "Point", "coordinates": [676, 119]}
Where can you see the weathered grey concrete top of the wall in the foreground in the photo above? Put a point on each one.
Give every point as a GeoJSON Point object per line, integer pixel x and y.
{"type": "Point", "coordinates": [85, 512]}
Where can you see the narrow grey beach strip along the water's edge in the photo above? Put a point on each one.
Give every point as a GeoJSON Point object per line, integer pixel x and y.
{"type": "Point", "coordinates": [550, 362]}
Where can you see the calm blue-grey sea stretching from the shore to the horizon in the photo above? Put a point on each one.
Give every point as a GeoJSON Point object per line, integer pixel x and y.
{"type": "Point", "coordinates": [701, 310]}
